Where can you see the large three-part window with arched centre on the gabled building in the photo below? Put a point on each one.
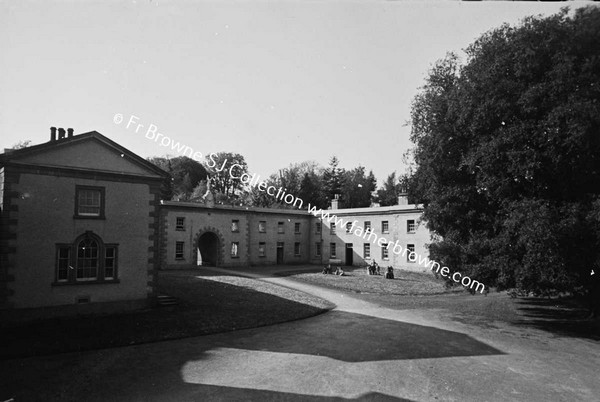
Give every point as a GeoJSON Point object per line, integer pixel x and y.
{"type": "Point", "coordinates": [87, 259]}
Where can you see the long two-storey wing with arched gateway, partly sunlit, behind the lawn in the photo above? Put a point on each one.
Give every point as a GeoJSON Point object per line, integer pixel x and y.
{"type": "Point", "coordinates": [195, 235]}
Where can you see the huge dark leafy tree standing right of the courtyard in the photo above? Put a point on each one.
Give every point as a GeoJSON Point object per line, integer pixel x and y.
{"type": "Point", "coordinates": [507, 154]}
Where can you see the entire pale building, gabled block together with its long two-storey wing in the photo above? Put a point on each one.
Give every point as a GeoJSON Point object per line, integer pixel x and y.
{"type": "Point", "coordinates": [83, 229]}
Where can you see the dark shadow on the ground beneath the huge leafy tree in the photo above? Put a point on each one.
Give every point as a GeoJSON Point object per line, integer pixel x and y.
{"type": "Point", "coordinates": [562, 317]}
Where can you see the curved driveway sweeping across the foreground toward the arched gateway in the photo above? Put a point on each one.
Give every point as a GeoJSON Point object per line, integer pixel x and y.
{"type": "Point", "coordinates": [358, 351]}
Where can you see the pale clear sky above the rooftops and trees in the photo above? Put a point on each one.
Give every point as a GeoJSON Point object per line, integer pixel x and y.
{"type": "Point", "coordinates": [276, 81]}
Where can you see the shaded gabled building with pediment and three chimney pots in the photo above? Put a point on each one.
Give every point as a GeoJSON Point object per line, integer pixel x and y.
{"type": "Point", "coordinates": [79, 218]}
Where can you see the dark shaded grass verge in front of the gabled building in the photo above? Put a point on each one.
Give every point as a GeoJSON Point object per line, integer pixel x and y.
{"type": "Point", "coordinates": [207, 305]}
